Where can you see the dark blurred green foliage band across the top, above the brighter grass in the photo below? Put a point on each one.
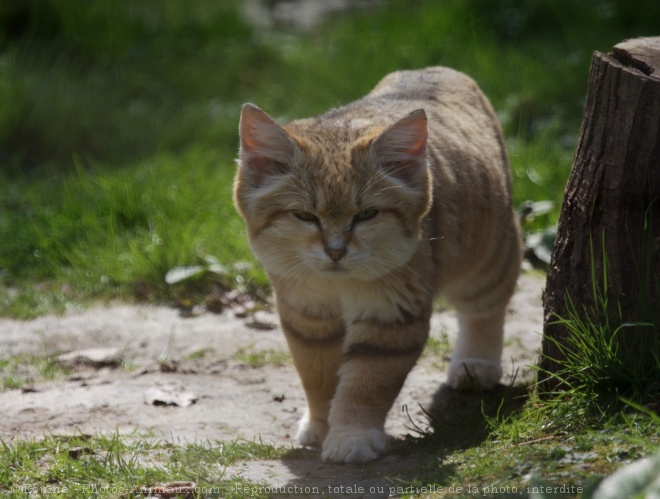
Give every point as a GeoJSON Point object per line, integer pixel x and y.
{"type": "Point", "coordinates": [112, 81]}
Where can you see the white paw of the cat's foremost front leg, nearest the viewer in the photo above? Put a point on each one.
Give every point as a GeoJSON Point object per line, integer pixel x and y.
{"type": "Point", "coordinates": [354, 445]}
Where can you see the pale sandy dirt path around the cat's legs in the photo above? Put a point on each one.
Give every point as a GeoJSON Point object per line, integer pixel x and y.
{"type": "Point", "coordinates": [195, 359]}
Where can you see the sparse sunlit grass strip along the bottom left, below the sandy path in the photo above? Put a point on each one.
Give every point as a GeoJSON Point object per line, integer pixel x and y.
{"type": "Point", "coordinates": [115, 465]}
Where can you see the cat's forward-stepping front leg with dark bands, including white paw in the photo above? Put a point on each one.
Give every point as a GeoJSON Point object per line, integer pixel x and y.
{"type": "Point", "coordinates": [377, 358]}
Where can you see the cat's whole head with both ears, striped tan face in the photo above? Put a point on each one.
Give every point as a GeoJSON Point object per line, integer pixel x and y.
{"type": "Point", "coordinates": [334, 197]}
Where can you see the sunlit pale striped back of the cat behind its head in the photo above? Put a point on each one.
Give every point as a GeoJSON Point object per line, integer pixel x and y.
{"type": "Point", "coordinates": [463, 127]}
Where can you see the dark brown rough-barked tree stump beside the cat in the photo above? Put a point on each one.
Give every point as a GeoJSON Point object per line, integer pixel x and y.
{"type": "Point", "coordinates": [611, 210]}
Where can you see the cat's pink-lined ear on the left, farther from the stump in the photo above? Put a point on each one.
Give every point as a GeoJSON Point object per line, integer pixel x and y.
{"type": "Point", "coordinates": [266, 149]}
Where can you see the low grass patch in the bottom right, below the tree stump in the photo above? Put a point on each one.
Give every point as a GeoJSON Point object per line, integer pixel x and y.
{"type": "Point", "coordinates": [512, 444]}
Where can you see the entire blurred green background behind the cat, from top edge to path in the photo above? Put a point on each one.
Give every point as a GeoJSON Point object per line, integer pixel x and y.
{"type": "Point", "coordinates": [118, 120]}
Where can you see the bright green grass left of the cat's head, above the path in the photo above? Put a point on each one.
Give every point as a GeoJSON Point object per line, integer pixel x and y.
{"type": "Point", "coordinates": [118, 232]}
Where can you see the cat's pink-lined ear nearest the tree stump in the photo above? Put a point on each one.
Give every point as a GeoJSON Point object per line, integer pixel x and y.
{"type": "Point", "coordinates": [401, 149]}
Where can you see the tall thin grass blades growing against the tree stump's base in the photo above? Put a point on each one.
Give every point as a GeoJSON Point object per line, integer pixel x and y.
{"type": "Point", "coordinates": [606, 360]}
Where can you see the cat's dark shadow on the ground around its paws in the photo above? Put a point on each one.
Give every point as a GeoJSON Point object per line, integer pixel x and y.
{"type": "Point", "coordinates": [416, 464]}
